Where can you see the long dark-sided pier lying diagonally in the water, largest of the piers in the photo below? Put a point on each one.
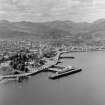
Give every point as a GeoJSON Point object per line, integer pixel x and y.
{"type": "Point", "coordinates": [65, 72]}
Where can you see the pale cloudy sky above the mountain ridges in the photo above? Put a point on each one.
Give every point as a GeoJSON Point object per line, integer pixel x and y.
{"type": "Point", "coordinates": [50, 10]}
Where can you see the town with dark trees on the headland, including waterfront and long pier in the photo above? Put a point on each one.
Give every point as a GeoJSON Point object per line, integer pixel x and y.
{"type": "Point", "coordinates": [23, 59]}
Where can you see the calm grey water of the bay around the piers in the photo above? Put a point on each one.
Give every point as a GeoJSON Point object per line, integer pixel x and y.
{"type": "Point", "coordinates": [84, 88]}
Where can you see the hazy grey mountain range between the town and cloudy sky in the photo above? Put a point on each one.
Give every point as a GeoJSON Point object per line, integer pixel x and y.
{"type": "Point", "coordinates": [66, 32]}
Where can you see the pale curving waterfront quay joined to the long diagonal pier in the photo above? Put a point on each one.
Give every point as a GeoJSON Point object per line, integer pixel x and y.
{"type": "Point", "coordinates": [50, 65]}
